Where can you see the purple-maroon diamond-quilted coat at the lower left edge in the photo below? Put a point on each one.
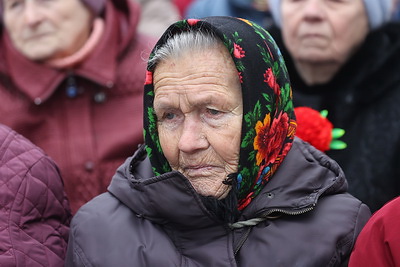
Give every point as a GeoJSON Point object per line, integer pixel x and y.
{"type": "Point", "coordinates": [34, 210]}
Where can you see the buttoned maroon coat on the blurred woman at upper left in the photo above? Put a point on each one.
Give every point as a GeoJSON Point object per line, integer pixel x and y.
{"type": "Point", "coordinates": [91, 133]}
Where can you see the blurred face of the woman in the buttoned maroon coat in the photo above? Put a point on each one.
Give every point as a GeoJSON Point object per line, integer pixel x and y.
{"type": "Point", "coordinates": [44, 30]}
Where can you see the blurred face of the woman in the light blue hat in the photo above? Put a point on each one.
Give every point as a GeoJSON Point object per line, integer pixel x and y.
{"type": "Point", "coordinates": [319, 31]}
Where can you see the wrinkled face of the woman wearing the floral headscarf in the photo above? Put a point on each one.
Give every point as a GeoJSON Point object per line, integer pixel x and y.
{"type": "Point", "coordinates": [198, 103]}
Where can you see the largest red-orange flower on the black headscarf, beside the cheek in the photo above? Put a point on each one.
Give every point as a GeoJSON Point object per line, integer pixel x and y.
{"type": "Point", "coordinates": [270, 137]}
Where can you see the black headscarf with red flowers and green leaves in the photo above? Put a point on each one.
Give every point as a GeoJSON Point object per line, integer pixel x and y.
{"type": "Point", "coordinates": [269, 124]}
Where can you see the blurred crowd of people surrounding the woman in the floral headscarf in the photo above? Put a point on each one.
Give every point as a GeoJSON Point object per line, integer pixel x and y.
{"type": "Point", "coordinates": [71, 100]}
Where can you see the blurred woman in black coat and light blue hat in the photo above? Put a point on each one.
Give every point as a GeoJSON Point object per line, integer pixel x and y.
{"type": "Point", "coordinates": [344, 57]}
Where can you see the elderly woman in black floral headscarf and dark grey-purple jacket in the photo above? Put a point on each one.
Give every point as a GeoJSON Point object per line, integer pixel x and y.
{"type": "Point", "coordinates": [221, 179]}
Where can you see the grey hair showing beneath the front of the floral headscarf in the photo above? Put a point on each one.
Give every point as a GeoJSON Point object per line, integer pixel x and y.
{"type": "Point", "coordinates": [181, 43]}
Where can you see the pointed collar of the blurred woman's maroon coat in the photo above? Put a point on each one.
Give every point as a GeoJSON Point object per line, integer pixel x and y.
{"type": "Point", "coordinates": [39, 82]}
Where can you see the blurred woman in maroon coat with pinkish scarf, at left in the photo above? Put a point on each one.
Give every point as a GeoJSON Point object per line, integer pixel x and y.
{"type": "Point", "coordinates": [71, 81]}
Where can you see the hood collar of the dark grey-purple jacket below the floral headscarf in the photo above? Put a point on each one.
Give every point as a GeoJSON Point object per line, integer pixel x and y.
{"type": "Point", "coordinates": [305, 175]}
